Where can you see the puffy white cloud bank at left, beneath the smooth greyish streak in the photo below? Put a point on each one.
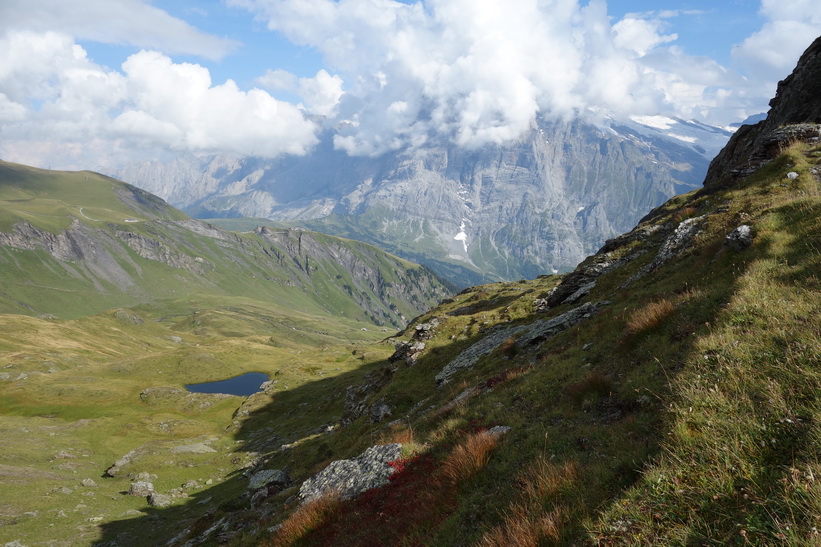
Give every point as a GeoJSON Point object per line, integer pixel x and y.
{"type": "Point", "coordinates": [51, 92]}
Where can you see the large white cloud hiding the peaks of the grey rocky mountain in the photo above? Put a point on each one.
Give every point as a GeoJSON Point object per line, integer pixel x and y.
{"type": "Point", "coordinates": [481, 72]}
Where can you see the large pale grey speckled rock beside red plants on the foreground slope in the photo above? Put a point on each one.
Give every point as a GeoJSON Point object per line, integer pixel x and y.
{"type": "Point", "coordinates": [352, 477]}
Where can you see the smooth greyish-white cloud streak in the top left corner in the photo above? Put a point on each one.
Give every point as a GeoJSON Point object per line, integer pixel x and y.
{"type": "Point", "coordinates": [127, 22]}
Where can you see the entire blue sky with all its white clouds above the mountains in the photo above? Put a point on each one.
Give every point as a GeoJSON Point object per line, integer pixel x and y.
{"type": "Point", "coordinates": [99, 83]}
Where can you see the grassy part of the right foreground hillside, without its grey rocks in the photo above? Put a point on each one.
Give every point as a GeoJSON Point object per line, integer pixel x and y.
{"type": "Point", "coordinates": [685, 412]}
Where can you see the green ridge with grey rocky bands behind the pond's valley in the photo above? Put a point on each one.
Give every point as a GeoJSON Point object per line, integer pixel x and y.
{"type": "Point", "coordinates": [78, 243]}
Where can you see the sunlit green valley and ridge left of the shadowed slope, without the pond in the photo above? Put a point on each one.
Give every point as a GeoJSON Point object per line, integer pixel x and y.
{"type": "Point", "coordinates": [79, 392]}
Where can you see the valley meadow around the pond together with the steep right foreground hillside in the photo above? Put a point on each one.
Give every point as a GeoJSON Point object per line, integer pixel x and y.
{"type": "Point", "coordinates": [665, 392]}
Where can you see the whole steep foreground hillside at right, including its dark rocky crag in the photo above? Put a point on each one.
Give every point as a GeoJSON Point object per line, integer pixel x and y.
{"type": "Point", "coordinates": [665, 392]}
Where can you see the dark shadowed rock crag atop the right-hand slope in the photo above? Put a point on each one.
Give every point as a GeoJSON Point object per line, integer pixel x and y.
{"type": "Point", "coordinates": [795, 113]}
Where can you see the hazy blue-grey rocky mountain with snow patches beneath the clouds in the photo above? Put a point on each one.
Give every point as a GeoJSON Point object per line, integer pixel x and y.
{"type": "Point", "coordinates": [516, 210]}
